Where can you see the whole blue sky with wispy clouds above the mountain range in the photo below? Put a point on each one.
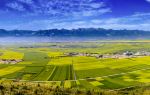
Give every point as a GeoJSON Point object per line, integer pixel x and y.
{"type": "Point", "coordinates": [73, 14]}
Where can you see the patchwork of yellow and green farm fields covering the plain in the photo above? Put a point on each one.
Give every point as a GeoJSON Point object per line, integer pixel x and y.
{"type": "Point", "coordinates": [51, 65]}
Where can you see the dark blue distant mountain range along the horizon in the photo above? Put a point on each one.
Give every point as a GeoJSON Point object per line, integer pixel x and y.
{"type": "Point", "coordinates": [81, 32]}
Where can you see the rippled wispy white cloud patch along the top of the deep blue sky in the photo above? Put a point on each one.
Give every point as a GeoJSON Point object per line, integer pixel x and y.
{"type": "Point", "coordinates": [60, 8]}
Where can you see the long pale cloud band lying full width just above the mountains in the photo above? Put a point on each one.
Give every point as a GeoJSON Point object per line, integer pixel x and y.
{"type": "Point", "coordinates": [140, 21]}
